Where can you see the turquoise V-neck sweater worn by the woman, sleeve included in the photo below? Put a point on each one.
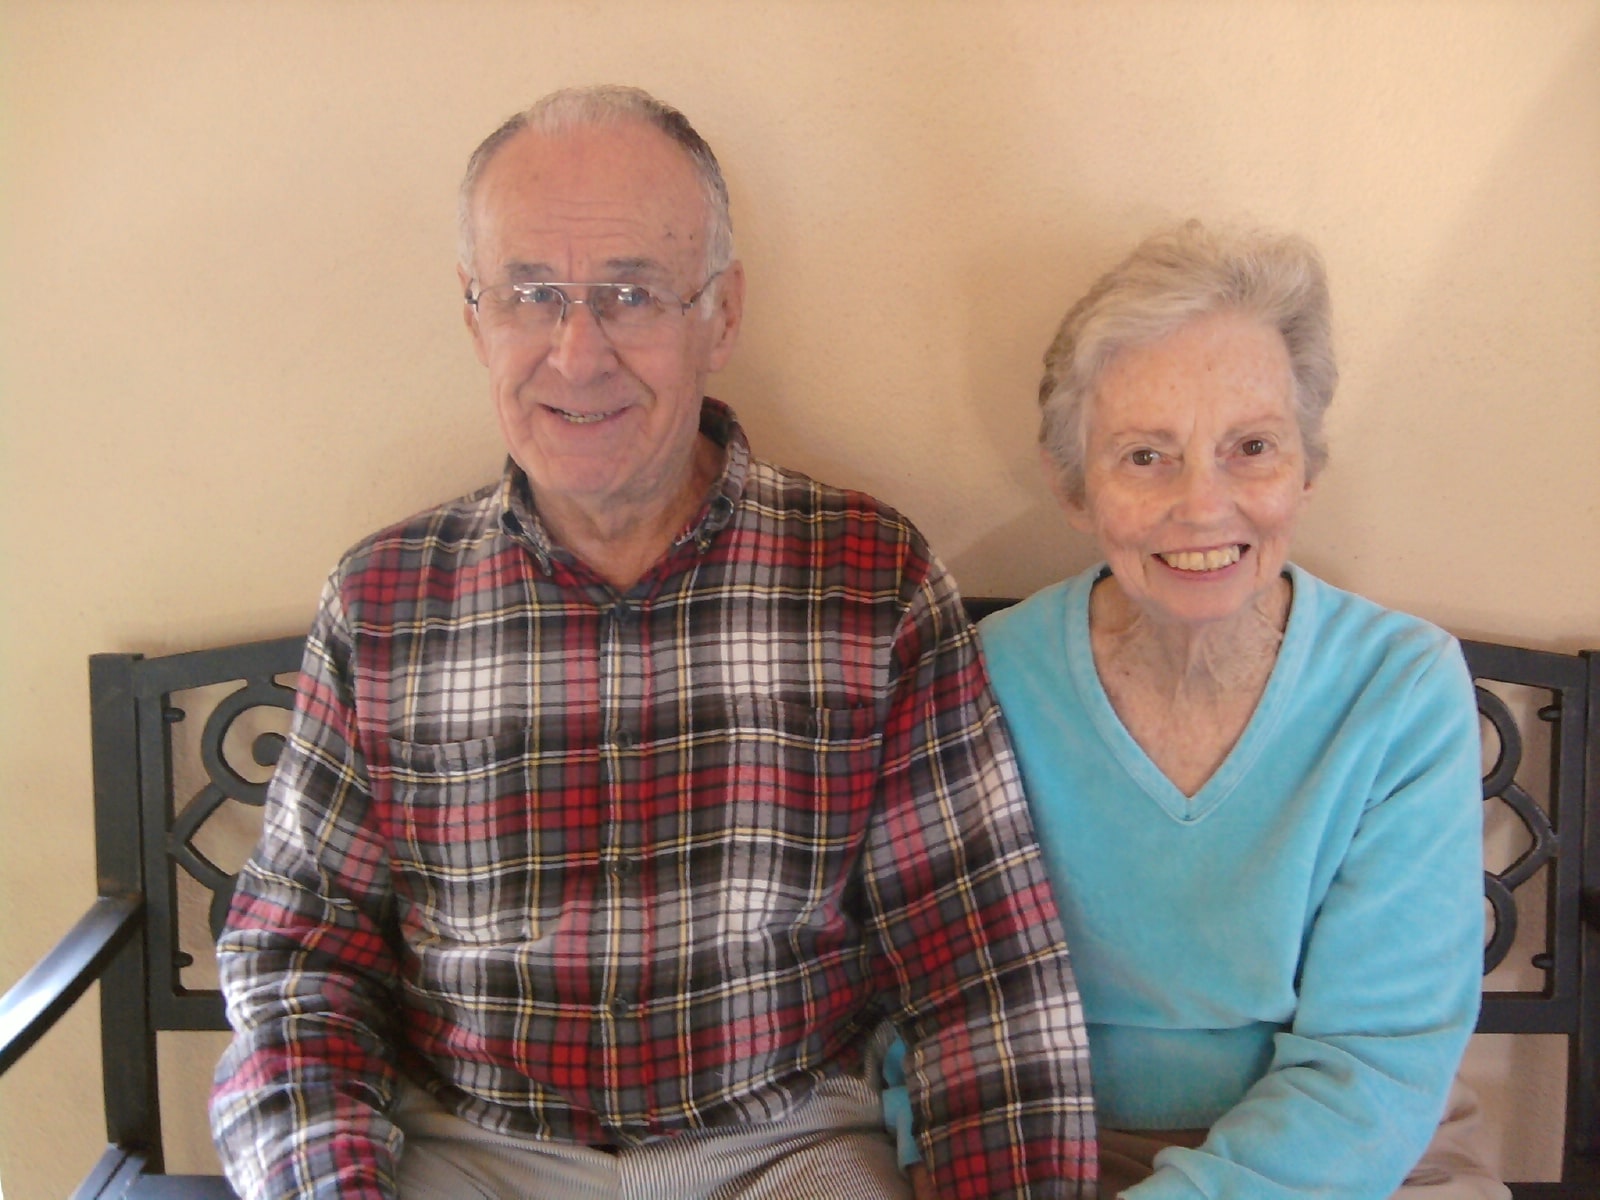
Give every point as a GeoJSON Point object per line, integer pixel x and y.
{"type": "Point", "coordinates": [1290, 958]}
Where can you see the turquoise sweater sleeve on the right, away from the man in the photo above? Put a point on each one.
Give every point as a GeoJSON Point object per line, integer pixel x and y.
{"type": "Point", "coordinates": [1390, 983]}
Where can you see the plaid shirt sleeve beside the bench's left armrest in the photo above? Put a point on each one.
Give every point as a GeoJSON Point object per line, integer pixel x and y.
{"type": "Point", "coordinates": [308, 974]}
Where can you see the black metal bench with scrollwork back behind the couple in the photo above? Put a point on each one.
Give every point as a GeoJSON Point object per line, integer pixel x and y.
{"type": "Point", "coordinates": [148, 826]}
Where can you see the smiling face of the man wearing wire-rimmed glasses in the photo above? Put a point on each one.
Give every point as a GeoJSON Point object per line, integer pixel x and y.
{"type": "Point", "coordinates": [602, 430]}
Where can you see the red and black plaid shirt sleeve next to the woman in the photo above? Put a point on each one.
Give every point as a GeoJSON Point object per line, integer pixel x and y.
{"type": "Point", "coordinates": [967, 930]}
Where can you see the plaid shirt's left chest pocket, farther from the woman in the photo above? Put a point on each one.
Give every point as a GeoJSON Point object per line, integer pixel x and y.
{"type": "Point", "coordinates": [463, 838]}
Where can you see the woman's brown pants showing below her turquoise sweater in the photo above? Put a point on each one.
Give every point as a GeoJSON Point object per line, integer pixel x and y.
{"type": "Point", "coordinates": [1450, 1167]}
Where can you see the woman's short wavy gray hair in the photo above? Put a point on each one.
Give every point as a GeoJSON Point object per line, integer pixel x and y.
{"type": "Point", "coordinates": [1169, 281]}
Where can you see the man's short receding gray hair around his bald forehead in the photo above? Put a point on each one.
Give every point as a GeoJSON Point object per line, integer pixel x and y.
{"type": "Point", "coordinates": [606, 105]}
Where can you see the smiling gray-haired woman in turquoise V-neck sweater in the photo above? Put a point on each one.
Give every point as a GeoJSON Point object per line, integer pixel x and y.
{"type": "Point", "coordinates": [1258, 794]}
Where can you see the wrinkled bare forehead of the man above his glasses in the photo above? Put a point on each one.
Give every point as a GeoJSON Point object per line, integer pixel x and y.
{"type": "Point", "coordinates": [580, 199]}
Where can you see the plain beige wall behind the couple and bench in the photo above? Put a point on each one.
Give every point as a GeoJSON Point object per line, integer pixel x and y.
{"type": "Point", "coordinates": [231, 337]}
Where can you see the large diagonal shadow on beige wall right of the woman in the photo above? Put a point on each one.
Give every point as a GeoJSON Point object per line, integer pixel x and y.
{"type": "Point", "coordinates": [1479, 420]}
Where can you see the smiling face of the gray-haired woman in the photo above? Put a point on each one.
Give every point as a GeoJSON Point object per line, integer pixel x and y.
{"type": "Point", "coordinates": [1194, 471]}
